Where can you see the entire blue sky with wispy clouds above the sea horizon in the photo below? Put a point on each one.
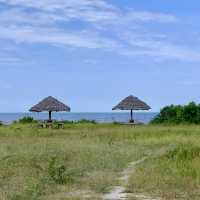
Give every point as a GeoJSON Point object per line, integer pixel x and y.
{"type": "Point", "coordinates": [91, 54]}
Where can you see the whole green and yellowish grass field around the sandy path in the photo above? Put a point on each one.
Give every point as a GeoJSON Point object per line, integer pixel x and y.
{"type": "Point", "coordinates": [83, 161]}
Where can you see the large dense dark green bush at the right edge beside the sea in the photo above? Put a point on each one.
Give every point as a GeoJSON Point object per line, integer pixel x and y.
{"type": "Point", "coordinates": [188, 114]}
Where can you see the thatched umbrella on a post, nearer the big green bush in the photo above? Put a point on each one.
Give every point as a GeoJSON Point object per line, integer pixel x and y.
{"type": "Point", "coordinates": [132, 103]}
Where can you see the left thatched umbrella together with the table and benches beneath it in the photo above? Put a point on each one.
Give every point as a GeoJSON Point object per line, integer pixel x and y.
{"type": "Point", "coordinates": [50, 105]}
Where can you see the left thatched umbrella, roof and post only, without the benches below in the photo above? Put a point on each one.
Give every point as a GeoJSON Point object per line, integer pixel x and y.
{"type": "Point", "coordinates": [50, 105]}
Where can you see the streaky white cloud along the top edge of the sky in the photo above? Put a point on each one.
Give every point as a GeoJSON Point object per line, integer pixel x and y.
{"type": "Point", "coordinates": [83, 10]}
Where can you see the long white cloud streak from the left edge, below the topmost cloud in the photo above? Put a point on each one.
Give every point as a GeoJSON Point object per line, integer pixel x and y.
{"type": "Point", "coordinates": [55, 36]}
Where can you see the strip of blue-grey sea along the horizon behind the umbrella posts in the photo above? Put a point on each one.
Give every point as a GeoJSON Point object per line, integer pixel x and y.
{"type": "Point", "coordinates": [144, 117]}
